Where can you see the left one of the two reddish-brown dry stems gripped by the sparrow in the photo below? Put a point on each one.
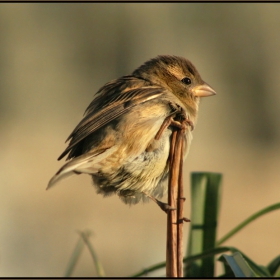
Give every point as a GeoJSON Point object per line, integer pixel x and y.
{"type": "Point", "coordinates": [171, 242]}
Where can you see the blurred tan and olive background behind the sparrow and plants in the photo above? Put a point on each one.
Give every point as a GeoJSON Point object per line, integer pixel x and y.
{"type": "Point", "coordinates": [54, 57]}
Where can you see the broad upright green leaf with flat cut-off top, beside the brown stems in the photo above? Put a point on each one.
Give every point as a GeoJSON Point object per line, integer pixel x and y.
{"type": "Point", "coordinates": [205, 205]}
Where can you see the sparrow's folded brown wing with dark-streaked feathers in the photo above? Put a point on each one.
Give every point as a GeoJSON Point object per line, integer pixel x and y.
{"type": "Point", "coordinates": [111, 101]}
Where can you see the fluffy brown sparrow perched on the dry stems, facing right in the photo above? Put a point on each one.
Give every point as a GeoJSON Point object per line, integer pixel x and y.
{"type": "Point", "coordinates": [118, 141]}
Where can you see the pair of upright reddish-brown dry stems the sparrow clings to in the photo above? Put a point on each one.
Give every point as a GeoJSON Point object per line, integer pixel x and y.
{"type": "Point", "coordinates": [174, 244]}
